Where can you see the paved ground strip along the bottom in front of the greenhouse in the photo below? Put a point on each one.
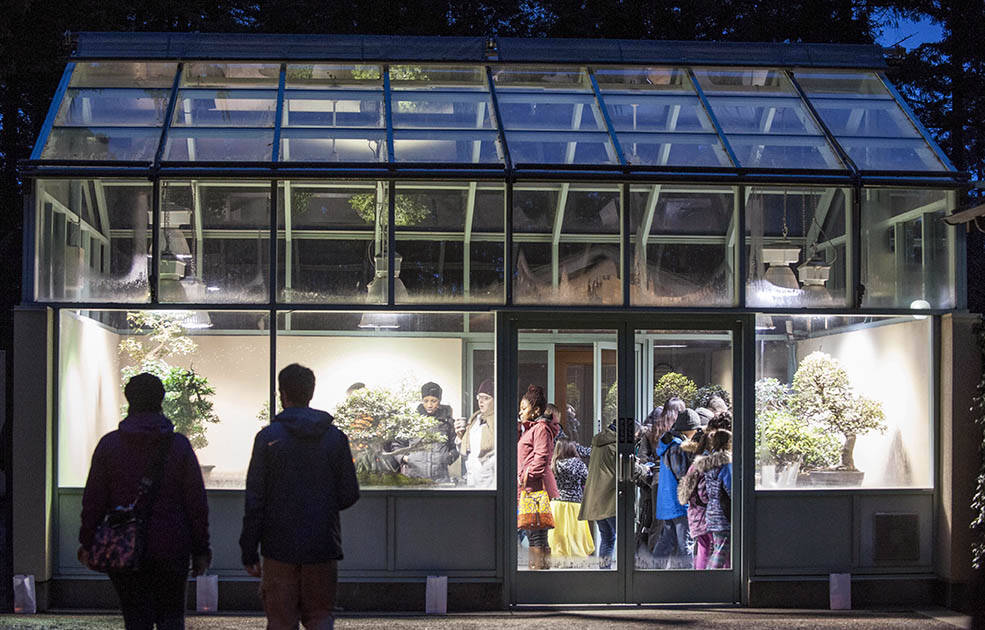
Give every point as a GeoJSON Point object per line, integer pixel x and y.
{"type": "Point", "coordinates": [570, 619]}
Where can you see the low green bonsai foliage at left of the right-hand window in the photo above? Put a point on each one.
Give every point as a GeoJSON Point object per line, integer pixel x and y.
{"type": "Point", "coordinates": [784, 439]}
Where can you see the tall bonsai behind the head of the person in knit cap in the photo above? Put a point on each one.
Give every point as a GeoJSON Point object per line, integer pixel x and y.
{"type": "Point", "coordinates": [187, 394]}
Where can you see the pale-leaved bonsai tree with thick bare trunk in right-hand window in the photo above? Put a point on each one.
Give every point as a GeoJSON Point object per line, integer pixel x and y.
{"type": "Point", "coordinates": [824, 396]}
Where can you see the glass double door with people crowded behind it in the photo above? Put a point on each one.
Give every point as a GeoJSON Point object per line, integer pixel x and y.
{"type": "Point", "coordinates": [642, 407]}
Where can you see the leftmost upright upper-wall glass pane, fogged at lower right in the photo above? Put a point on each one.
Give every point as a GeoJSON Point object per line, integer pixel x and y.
{"type": "Point", "coordinates": [93, 240]}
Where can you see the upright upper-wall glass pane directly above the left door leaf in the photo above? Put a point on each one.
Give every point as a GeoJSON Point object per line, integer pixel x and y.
{"type": "Point", "coordinates": [567, 243]}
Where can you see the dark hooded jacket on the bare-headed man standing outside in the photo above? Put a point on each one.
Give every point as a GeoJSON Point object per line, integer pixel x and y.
{"type": "Point", "coordinates": [301, 474]}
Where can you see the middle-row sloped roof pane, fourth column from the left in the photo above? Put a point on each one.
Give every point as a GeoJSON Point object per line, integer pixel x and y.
{"type": "Point", "coordinates": [440, 109]}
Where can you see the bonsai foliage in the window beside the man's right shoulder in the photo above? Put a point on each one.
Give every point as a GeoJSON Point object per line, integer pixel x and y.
{"type": "Point", "coordinates": [381, 415]}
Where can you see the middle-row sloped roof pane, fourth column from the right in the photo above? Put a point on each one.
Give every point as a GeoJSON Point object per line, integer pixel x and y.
{"type": "Point", "coordinates": [538, 111]}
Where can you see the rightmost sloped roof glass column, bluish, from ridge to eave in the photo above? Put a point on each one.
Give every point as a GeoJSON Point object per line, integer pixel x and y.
{"type": "Point", "coordinates": [867, 121]}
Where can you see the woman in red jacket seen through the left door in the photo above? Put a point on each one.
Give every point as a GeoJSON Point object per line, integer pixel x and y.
{"type": "Point", "coordinates": [533, 455]}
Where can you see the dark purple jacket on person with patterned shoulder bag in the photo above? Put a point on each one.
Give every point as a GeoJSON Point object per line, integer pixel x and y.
{"type": "Point", "coordinates": [179, 520]}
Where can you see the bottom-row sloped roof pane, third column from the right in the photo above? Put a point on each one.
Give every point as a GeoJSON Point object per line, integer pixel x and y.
{"type": "Point", "coordinates": [673, 149]}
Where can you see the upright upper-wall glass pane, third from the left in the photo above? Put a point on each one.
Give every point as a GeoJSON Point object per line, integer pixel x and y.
{"type": "Point", "coordinates": [330, 234]}
